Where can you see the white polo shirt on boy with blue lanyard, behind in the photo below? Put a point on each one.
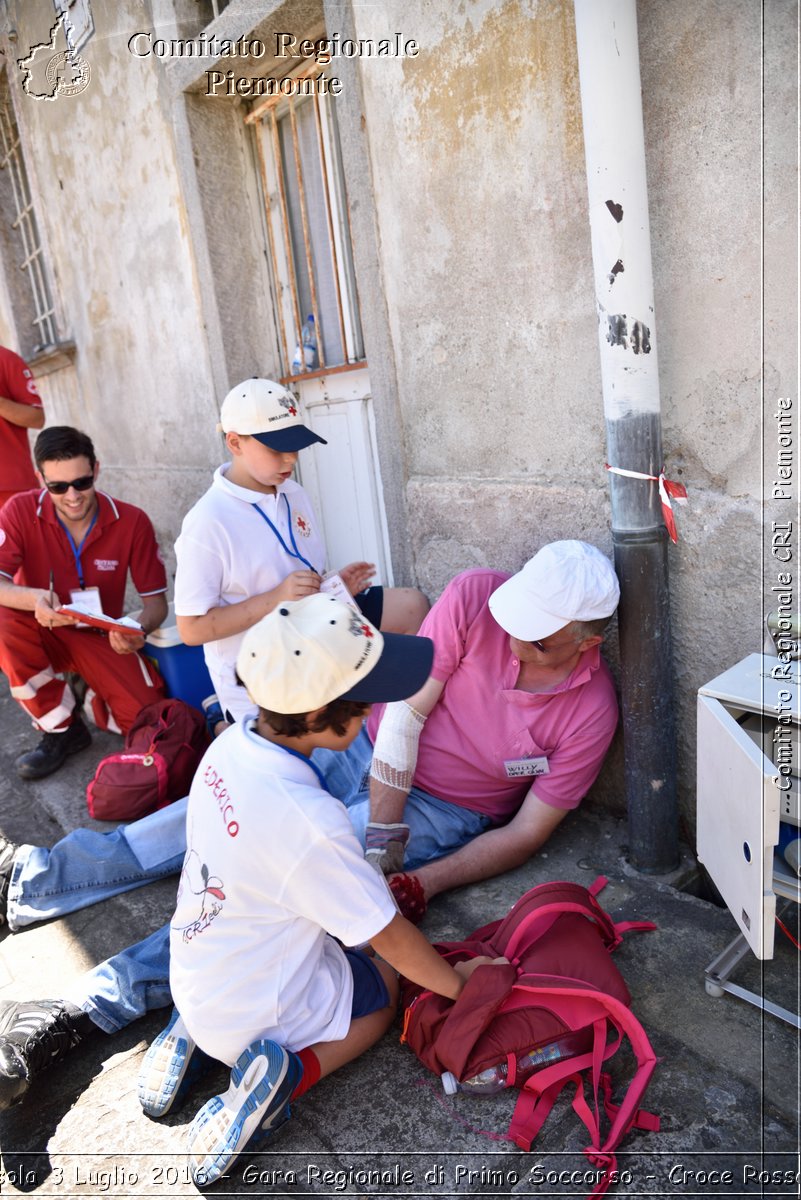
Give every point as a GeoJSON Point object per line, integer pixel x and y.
{"type": "Point", "coordinates": [227, 553]}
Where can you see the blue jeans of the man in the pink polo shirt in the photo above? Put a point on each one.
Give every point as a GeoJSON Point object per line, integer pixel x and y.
{"type": "Point", "coordinates": [87, 867]}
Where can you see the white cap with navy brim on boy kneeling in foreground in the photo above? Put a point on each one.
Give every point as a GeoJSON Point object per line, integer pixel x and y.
{"type": "Point", "coordinates": [306, 653]}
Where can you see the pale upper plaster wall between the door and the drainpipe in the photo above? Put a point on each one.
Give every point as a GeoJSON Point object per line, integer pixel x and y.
{"type": "Point", "coordinates": [478, 167]}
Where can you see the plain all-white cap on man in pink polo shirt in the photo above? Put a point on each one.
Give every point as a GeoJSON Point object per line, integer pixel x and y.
{"type": "Point", "coordinates": [565, 581]}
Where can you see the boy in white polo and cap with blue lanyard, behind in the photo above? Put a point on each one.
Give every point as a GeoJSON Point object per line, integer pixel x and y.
{"type": "Point", "coordinates": [254, 541]}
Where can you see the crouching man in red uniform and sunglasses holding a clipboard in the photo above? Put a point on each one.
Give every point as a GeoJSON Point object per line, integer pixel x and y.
{"type": "Point", "coordinates": [85, 543]}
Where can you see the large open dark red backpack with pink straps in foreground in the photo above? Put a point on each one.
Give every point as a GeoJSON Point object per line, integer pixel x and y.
{"type": "Point", "coordinates": [561, 983]}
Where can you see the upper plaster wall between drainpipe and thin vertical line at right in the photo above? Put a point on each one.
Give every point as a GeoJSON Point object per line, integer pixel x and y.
{"type": "Point", "coordinates": [702, 107]}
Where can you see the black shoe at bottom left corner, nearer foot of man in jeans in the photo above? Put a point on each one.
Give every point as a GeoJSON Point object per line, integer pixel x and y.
{"type": "Point", "coordinates": [33, 1036]}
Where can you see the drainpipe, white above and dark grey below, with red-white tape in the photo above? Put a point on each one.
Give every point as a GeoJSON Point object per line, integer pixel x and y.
{"type": "Point", "coordinates": [615, 148]}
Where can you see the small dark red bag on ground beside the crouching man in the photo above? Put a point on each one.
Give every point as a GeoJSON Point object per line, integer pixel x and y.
{"type": "Point", "coordinates": [162, 752]}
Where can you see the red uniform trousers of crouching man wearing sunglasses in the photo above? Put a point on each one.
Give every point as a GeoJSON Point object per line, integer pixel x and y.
{"type": "Point", "coordinates": [32, 656]}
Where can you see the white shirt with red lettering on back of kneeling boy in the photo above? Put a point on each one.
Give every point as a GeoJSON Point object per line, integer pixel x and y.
{"type": "Point", "coordinates": [273, 874]}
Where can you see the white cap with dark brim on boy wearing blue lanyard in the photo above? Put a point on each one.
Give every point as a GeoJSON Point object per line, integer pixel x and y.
{"type": "Point", "coordinates": [267, 411]}
